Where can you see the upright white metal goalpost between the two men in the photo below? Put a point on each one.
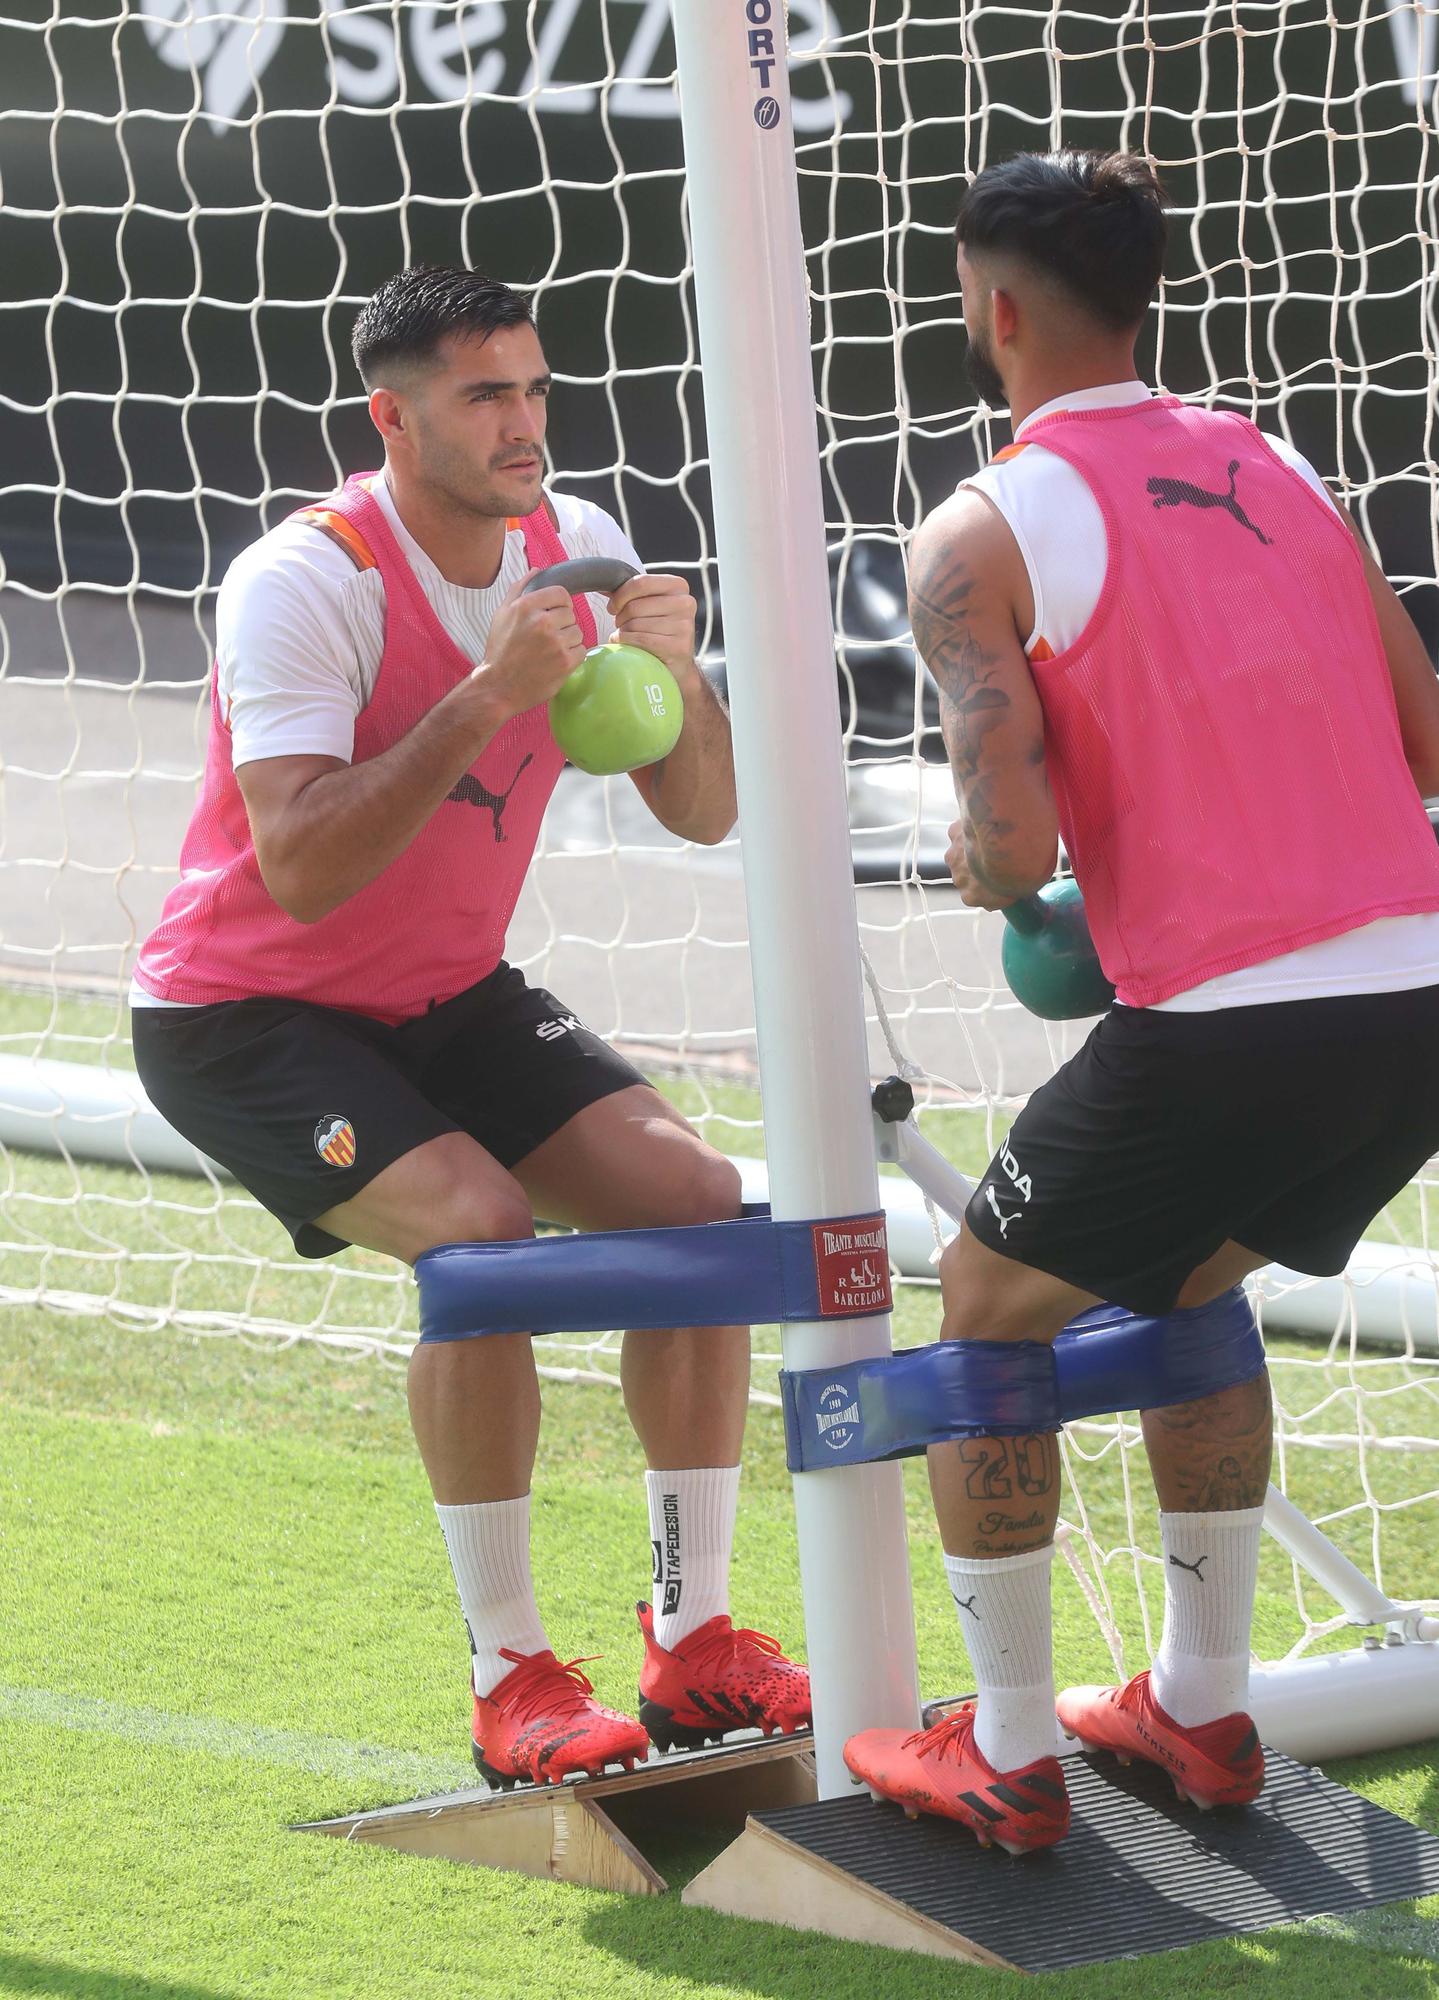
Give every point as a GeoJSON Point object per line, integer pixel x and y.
{"type": "Point", "coordinates": [754, 341]}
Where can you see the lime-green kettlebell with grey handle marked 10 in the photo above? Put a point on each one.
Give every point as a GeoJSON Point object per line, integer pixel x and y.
{"type": "Point", "coordinates": [621, 709]}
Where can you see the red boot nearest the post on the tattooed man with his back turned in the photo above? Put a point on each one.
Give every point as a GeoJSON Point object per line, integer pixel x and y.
{"type": "Point", "coordinates": [942, 1771]}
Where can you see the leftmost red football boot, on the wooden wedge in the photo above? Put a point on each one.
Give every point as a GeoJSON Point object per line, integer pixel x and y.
{"type": "Point", "coordinates": [541, 1727]}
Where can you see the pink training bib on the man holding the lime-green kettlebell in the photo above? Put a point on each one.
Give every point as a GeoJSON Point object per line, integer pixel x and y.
{"type": "Point", "coordinates": [435, 921]}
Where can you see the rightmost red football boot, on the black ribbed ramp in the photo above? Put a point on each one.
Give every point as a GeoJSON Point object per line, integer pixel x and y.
{"type": "Point", "coordinates": [1214, 1765]}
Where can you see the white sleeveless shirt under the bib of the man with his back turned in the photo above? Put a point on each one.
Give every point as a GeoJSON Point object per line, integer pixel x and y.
{"type": "Point", "coordinates": [1058, 525]}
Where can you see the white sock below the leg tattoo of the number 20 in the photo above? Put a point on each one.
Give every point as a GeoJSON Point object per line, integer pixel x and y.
{"type": "Point", "coordinates": [1004, 1615]}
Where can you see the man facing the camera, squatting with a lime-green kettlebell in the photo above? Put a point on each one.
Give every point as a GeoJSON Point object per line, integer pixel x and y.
{"type": "Point", "coordinates": [327, 1011]}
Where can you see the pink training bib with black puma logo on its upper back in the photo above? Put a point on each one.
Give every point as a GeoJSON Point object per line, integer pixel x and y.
{"type": "Point", "coordinates": [1222, 739]}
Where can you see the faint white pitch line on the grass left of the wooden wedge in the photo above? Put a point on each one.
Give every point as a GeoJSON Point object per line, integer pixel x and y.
{"type": "Point", "coordinates": [325, 1757]}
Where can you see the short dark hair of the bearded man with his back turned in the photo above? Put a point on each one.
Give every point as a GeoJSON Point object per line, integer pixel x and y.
{"type": "Point", "coordinates": [1092, 221]}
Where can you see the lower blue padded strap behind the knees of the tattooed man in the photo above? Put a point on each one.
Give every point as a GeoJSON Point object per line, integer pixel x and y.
{"type": "Point", "coordinates": [1104, 1361]}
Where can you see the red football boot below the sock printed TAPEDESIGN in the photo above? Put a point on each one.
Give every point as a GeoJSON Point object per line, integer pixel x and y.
{"type": "Point", "coordinates": [719, 1681]}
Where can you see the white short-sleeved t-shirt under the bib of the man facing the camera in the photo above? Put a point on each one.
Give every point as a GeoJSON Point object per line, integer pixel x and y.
{"type": "Point", "coordinates": [301, 631]}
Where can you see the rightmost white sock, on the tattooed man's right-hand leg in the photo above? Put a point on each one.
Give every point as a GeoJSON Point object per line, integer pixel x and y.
{"type": "Point", "coordinates": [1212, 1565]}
